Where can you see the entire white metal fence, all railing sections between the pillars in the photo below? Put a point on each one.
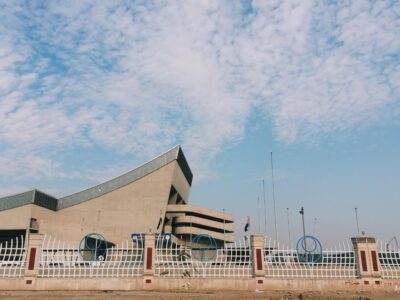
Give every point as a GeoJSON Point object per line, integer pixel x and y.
{"type": "Point", "coordinates": [60, 260]}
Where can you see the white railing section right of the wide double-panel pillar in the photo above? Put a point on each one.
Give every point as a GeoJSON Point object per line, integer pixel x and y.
{"type": "Point", "coordinates": [389, 259]}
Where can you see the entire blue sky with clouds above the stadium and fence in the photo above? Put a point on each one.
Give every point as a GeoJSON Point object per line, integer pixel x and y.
{"type": "Point", "coordinates": [92, 89]}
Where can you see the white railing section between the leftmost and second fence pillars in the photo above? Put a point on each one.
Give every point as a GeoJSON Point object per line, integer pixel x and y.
{"type": "Point", "coordinates": [58, 259]}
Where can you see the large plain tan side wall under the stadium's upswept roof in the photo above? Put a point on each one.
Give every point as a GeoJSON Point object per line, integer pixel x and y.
{"type": "Point", "coordinates": [134, 208]}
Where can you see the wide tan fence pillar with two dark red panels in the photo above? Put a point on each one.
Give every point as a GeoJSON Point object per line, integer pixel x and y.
{"type": "Point", "coordinates": [366, 256]}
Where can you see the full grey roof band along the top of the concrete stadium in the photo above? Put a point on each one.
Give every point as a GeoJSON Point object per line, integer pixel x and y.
{"type": "Point", "coordinates": [47, 201]}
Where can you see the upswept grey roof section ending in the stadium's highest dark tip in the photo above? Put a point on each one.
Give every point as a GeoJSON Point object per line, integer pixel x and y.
{"type": "Point", "coordinates": [129, 177]}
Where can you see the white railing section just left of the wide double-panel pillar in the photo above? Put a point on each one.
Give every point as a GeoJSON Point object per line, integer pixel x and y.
{"type": "Point", "coordinates": [281, 262]}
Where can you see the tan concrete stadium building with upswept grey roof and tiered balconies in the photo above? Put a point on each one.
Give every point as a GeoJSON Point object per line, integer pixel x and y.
{"type": "Point", "coordinates": [154, 195]}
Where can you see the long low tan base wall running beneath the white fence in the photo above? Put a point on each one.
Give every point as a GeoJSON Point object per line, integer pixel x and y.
{"type": "Point", "coordinates": [217, 284]}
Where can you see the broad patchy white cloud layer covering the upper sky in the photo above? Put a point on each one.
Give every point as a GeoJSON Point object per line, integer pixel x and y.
{"type": "Point", "coordinates": [142, 77]}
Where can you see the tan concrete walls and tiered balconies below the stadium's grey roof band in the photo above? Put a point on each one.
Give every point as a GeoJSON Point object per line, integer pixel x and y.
{"type": "Point", "coordinates": [133, 208]}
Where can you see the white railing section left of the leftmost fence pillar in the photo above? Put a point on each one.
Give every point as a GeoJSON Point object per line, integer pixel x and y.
{"type": "Point", "coordinates": [13, 258]}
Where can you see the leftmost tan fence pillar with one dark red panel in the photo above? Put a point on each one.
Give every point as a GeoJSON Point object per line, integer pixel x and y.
{"type": "Point", "coordinates": [33, 255]}
